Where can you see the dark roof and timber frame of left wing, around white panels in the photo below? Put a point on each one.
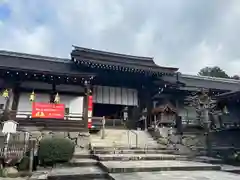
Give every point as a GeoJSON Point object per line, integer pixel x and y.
{"type": "Point", "coordinates": [16, 68]}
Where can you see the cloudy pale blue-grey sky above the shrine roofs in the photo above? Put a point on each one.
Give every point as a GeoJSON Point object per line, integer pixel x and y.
{"type": "Point", "coordinates": [189, 34]}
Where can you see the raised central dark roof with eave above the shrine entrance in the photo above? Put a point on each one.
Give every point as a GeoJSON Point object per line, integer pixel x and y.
{"type": "Point", "coordinates": [118, 62]}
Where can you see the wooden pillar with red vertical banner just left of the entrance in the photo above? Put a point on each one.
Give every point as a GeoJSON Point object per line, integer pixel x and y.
{"type": "Point", "coordinates": [85, 104]}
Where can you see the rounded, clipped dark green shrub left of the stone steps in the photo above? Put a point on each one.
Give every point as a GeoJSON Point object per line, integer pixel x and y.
{"type": "Point", "coordinates": [55, 150]}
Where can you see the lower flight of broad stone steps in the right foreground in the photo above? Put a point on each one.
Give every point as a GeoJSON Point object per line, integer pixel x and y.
{"type": "Point", "coordinates": [140, 164]}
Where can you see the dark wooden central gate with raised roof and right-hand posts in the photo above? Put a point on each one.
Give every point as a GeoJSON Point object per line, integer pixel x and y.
{"type": "Point", "coordinates": [119, 70]}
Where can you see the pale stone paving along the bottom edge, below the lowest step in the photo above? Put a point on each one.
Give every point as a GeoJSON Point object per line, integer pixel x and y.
{"type": "Point", "coordinates": [177, 175]}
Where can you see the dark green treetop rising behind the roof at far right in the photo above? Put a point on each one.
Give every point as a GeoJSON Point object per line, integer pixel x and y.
{"type": "Point", "coordinates": [213, 72]}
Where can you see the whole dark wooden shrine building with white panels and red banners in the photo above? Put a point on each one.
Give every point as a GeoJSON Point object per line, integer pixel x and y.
{"type": "Point", "coordinates": [67, 94]}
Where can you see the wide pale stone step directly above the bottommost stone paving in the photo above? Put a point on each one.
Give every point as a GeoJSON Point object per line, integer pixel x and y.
{"type": "Point", "coordinates": [150, 166]}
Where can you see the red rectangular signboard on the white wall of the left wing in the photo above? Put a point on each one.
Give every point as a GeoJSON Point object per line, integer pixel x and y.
{"type": "Point", "coordinates": [48, 110]}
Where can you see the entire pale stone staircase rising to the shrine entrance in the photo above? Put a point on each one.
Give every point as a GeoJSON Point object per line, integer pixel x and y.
{"type": "Point", "coordinates": [119, 161]}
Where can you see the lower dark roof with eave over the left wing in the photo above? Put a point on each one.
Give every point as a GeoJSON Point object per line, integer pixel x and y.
{"type": "Point", "coordinates": [26, 66]}
